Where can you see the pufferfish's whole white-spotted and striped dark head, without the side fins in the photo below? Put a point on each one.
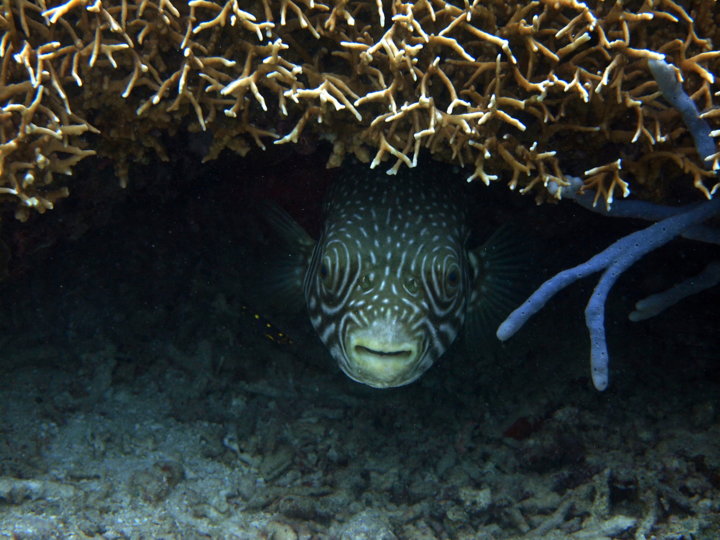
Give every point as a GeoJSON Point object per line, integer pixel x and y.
{"type": "Point", "coordinates": [387, 284]}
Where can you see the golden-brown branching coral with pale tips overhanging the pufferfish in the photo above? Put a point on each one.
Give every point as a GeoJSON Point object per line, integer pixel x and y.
{"type": "Point", "coordinates": [507, 88]}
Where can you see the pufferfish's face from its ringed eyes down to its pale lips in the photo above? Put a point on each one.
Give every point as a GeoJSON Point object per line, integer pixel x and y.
{"type": "Point", "coordinates": [386, 314]}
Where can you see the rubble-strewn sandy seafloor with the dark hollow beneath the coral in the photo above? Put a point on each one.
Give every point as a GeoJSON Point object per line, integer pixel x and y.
{"type": "Point", "coordinates": [138, 399]}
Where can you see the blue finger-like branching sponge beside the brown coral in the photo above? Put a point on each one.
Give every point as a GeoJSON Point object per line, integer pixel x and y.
{"type": "Point", "coordinates": [617, 258]}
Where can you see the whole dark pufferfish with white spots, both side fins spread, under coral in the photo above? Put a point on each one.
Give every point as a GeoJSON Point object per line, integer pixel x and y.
{"type": "Point", "coordinates": [391, 281]}
